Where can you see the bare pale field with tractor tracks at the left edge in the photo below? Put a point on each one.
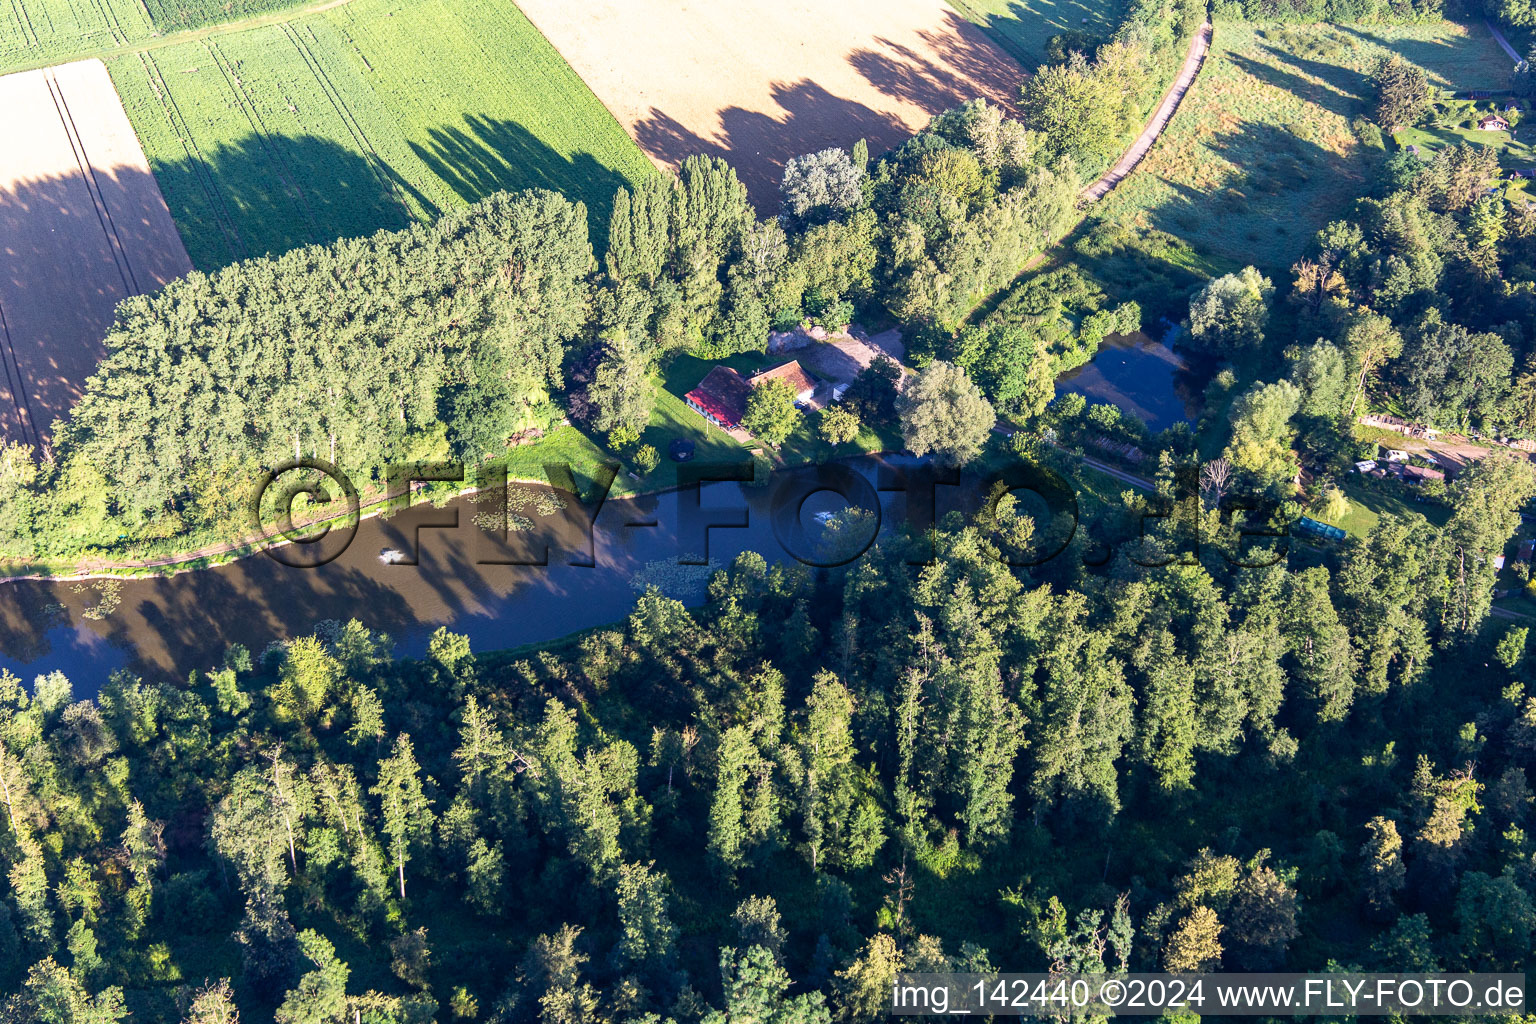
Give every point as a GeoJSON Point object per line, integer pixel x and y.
{"type": "Point", "coordinates": [82, 228]}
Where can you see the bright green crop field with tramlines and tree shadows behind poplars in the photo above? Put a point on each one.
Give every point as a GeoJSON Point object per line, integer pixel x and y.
{"type": "Point", "coordinates": [362, 117]}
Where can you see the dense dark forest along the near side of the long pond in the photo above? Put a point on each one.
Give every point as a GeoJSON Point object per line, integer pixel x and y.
{"type": "Point", "coordinates": [766, 807]}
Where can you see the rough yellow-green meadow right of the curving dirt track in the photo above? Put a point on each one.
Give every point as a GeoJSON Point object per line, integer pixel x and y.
{"type": "Point", "coordinates": [1262, 156]}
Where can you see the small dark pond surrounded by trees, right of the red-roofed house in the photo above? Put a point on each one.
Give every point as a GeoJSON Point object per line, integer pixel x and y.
{"type": "Point", "coordinates": [1140, 375]}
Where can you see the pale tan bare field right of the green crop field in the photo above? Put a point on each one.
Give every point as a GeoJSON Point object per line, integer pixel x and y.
{"type": "Point", "coordinates": [761, 82]}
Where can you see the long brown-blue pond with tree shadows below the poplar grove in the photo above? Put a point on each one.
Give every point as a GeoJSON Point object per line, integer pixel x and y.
{"type": "Point", "coordinates": [465, 580]}
